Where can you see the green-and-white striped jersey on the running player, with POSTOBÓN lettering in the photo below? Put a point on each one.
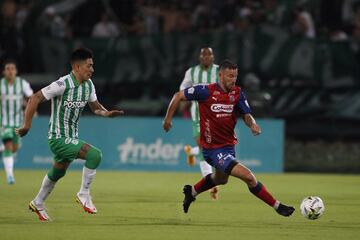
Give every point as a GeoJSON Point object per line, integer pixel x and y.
{"type": "Point", "coordinates": [68, 99]}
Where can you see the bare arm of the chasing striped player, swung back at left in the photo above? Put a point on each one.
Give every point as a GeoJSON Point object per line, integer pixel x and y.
{"type": "Point", "coordinates": [30, 110]}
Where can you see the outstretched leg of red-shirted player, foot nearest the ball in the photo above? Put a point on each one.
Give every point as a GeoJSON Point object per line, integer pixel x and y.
{"type": "Point", "coordinates": [259, 190]}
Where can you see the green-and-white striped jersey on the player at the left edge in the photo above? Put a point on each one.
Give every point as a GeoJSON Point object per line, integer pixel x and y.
{"type": "Point", "coordinates": [12, 99]}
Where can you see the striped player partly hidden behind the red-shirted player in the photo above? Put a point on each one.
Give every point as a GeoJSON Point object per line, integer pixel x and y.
{"type": "Point", "coordinates": [202, 74]}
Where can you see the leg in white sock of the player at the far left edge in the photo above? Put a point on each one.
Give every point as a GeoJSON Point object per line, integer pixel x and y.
{"type": "Point", "coordinates": [8, 156]}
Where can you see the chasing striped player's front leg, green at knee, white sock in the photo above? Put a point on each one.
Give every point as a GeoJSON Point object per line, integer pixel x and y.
{"type": "Point", "coordinates": [93, 157]}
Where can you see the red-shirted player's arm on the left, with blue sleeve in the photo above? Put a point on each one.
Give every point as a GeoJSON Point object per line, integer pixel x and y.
{"type": "Point", "coordinates": [197, 93]}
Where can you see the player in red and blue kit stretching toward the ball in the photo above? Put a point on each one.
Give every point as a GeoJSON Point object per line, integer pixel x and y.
{"type": "Point", "coordinates": [219, 105]}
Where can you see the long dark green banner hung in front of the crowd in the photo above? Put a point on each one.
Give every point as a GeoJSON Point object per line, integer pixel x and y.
{"type": "Point", "coordinates": [273, 53]}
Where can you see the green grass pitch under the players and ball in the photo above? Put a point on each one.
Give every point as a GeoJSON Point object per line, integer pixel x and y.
{"type": "Point", "coordinates": [141, 205]}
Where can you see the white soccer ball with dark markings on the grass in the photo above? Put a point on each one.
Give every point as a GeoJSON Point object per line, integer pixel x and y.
{"type": "Point", "coordinates": [312, 207]}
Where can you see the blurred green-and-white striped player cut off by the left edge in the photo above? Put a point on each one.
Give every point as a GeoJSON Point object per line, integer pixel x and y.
{"type": "Point", "coordinates": [14, 91]}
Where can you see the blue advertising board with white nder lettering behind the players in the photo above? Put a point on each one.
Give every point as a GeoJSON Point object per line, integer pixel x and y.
{"type": "Point", "coordinates": [141, 144]}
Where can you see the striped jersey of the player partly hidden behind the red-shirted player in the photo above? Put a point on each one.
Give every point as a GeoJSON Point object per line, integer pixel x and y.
{"type": "Point", "coordinates": [197, 76]}
